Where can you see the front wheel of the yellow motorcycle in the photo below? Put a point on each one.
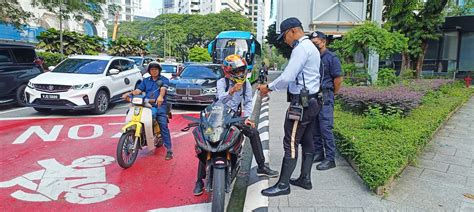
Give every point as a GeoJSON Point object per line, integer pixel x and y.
{"type": "Point", "coordinates": [126, 153]}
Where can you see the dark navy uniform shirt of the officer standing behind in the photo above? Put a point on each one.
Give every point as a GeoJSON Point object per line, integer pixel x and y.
{"type": "Point", "coordinates": [332, 69]}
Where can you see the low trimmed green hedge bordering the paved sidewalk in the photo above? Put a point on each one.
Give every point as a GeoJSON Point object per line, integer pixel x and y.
{"type": "Point", "coordinates": [381, 153]}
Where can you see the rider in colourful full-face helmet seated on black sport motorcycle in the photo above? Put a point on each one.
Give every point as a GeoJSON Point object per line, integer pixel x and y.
{"type": "Point", "coordinates": [230, 91]}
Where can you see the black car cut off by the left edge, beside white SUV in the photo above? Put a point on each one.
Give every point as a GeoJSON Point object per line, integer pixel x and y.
{"type": "Point", "coordinates": [17, 67]}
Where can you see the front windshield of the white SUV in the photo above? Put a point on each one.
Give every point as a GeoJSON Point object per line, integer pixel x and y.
{"type": "Point", "coordinates": [81, 66]}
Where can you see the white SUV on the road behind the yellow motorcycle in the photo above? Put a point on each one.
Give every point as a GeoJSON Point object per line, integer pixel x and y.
{"type": "Point", "coordinates": [83, 83]}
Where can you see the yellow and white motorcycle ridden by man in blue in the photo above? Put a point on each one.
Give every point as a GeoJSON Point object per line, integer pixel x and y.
{"type": "Point", "coordinates": [140, 131]}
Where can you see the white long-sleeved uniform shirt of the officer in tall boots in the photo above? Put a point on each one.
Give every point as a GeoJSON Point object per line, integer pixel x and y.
{"type": "Point", "coordinates": [305, 58]}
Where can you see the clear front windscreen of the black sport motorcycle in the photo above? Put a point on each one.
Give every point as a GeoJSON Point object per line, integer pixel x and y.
{"type": "Point", "coordinates": [213, 121]}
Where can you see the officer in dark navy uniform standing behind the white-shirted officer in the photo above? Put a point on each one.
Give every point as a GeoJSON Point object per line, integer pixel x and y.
{"type": "Point", "coordinates": [324, 145]}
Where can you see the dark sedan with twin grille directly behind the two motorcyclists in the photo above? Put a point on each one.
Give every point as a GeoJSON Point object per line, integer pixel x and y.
{"type": "Point", "coordinates": [196, 85]}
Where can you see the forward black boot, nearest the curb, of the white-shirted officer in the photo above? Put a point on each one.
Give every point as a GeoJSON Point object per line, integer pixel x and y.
{"type": "Point", "coordinates": [282, 187]}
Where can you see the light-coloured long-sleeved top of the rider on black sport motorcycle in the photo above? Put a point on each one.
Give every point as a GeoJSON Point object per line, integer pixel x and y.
{"type": "Point", "coordinates": [234, 100]}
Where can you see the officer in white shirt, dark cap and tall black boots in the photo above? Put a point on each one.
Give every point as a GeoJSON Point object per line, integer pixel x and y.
{"type": "Point", "coordinates": [301, 78]}
